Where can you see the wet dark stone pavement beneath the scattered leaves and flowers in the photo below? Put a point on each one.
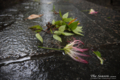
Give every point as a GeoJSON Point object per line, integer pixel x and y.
{"type": "Point", "coordinates": [21, 59]}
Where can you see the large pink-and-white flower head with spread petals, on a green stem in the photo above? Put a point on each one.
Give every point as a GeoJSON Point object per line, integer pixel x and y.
{"type": "Point", "coordinates": [73, 50]}
